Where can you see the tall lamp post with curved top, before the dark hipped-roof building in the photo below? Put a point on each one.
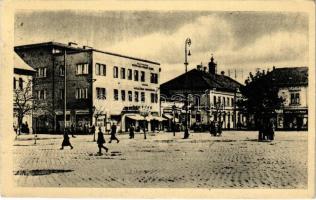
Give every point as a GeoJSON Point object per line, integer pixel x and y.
{"type": "Point", "coordinates": [186, 54]}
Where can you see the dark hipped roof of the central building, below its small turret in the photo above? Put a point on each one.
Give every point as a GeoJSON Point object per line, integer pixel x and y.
{"type": "Point", "coordinates": [200, 80]}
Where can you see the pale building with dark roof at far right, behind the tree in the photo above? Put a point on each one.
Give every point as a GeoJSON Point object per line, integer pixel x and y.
{"type": "Point", "coordinates": [293, 88]}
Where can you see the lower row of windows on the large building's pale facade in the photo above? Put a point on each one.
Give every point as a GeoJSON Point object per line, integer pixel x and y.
{"type": "Point", "coordinates": [138, 96]}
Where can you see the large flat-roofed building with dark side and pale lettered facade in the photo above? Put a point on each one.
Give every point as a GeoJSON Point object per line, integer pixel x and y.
{"type": "Point", "coordinates": [119, 89]}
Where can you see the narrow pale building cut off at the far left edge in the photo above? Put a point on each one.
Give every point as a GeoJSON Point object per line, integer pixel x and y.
{"type": "Point", "coordinates": [22, 95]}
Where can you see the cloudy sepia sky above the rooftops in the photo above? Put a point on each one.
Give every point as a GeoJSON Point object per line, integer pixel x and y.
{"type": "Point", "coordinates": [241, 42]}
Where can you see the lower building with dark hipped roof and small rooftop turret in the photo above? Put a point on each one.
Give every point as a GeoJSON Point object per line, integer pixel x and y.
{"type": "Point", "coordinates": [211, 96]}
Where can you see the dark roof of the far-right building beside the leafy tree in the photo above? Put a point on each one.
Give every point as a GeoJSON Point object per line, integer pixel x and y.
{"type": "Point", "coordinates": [289, 76]}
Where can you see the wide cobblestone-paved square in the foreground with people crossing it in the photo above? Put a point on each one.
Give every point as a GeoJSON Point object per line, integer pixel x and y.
{"type": "Point", "coordinates": [235, 160]}
